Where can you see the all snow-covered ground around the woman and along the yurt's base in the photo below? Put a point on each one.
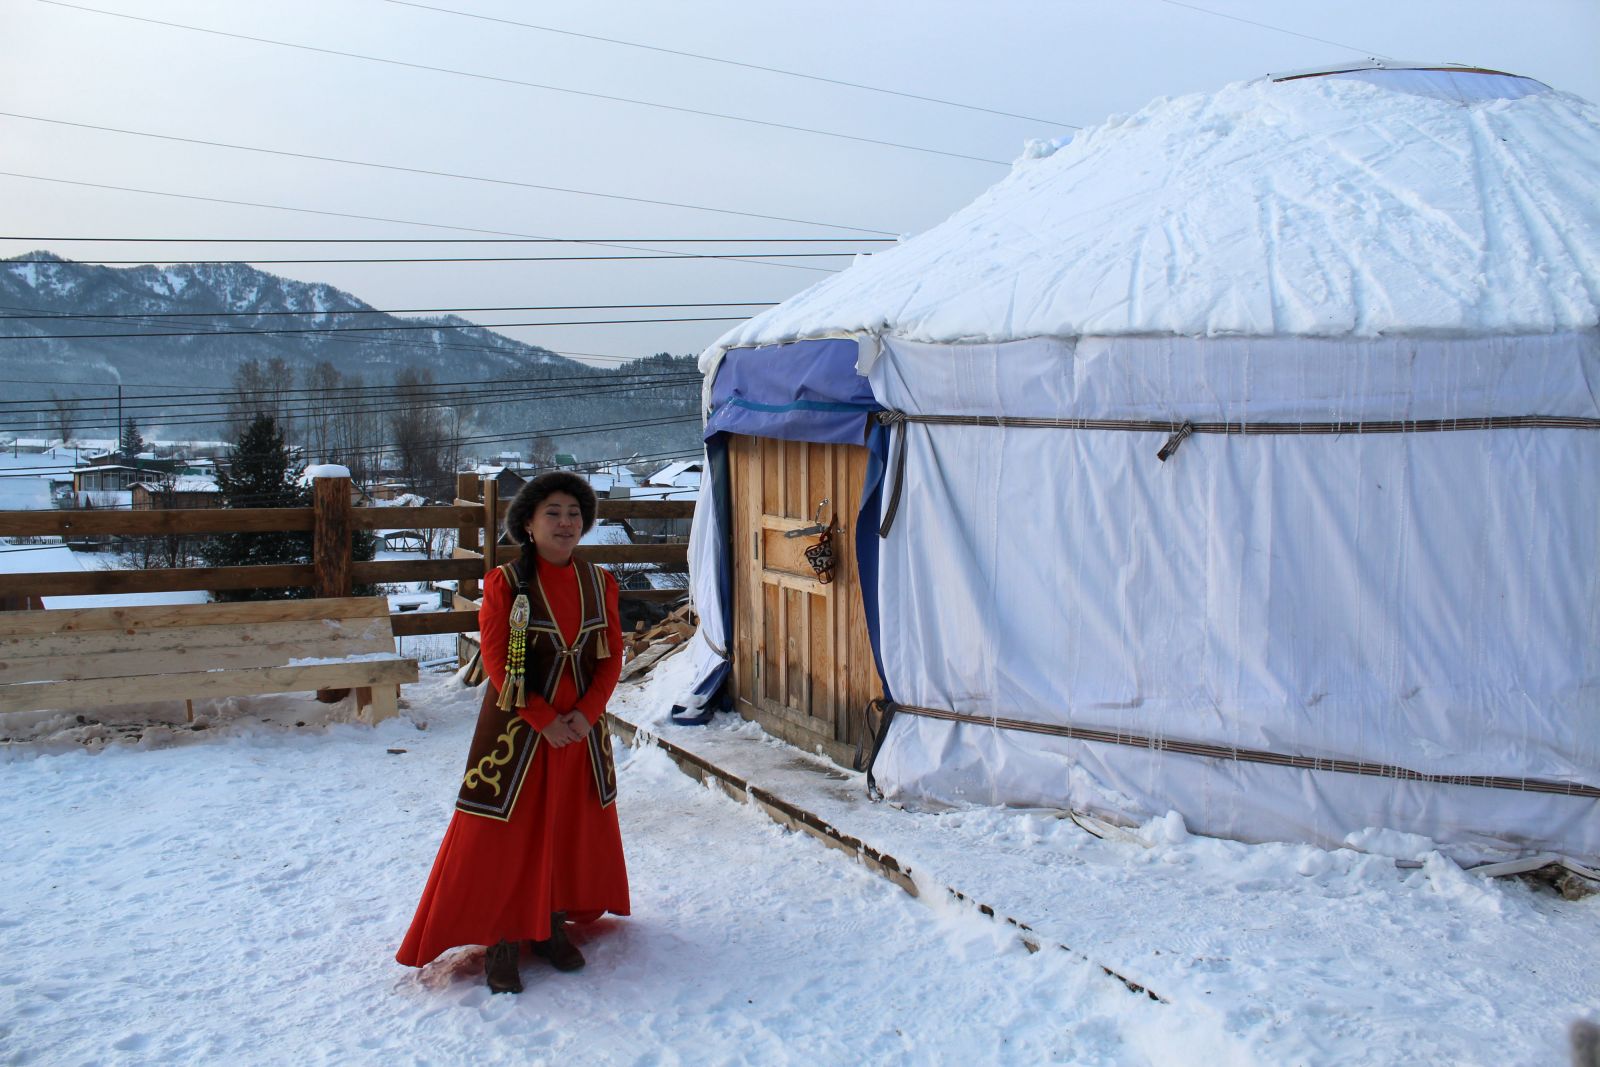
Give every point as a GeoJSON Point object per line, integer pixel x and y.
{"type": "Point", "coordinates": [236, 893]}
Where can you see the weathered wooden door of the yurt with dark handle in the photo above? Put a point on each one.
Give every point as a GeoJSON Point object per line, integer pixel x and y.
{"type": "Point", "coordinates": [802, 661]}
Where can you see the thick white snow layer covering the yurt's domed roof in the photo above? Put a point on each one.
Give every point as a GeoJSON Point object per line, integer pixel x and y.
{"type": "Point", "coordinates": [1346, 202]}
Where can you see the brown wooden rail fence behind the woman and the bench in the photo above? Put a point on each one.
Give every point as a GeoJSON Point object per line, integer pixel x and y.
{"type": "Point", "coordinates": [332, 522]}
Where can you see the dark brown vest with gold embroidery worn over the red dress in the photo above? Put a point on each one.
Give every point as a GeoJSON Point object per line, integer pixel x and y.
{"type": "Point", "coordinates": [503, 745]}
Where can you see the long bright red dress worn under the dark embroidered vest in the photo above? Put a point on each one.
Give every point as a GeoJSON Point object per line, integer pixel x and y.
{"type": "Point", "coordinates": [561, 852]}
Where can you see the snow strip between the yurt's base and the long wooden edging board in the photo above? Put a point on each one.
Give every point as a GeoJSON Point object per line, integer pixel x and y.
{"type": "Point", "coordinates": [1298, 954]}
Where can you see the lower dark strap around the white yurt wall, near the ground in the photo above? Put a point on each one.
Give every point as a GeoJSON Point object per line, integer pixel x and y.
{"type": "Point", "coordinates": [1254, 756]}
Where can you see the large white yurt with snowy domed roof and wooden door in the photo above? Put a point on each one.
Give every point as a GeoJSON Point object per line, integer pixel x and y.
{"type": "Point", "coordinates": [1239, 458]}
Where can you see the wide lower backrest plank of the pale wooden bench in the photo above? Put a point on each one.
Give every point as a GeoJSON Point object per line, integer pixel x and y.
{"type": "Point", "coordinates": [116, 652]}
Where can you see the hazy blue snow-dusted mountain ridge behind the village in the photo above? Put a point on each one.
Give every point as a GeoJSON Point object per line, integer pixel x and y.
{"type": "Point", "coordinates": [236, 297]}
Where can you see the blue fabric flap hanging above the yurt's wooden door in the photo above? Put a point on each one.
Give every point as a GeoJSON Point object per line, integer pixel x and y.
{"type": "Point", "coordinates": [807, 391]}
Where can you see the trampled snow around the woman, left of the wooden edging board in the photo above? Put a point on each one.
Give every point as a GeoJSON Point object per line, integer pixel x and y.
{"type": "Point", "coordinates": [239, 901]}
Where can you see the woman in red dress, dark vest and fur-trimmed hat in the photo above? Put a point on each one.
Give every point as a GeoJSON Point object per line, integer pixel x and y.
{"type": "Point", "coordinates": [535, 839]}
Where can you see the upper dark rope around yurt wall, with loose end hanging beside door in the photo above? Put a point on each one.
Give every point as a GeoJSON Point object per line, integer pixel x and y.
{"type": "Point", "coordinates": [1180, 431]}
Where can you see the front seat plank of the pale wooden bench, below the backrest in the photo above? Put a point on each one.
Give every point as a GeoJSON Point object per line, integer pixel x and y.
{"type": "Point", "coordinates": [206, 684]}
